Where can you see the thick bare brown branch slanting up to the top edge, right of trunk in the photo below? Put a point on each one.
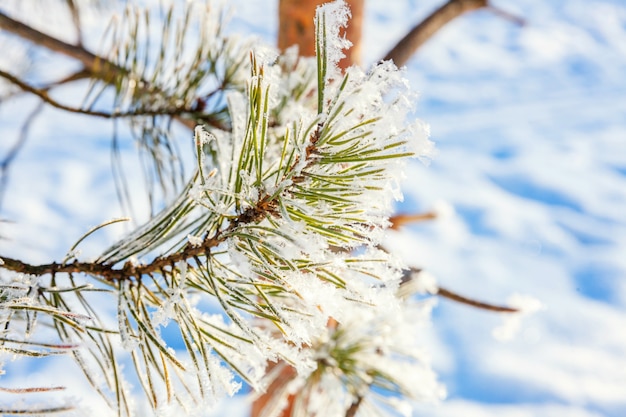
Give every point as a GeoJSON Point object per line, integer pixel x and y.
{"type": "Point", "coordinates": [407, 46]}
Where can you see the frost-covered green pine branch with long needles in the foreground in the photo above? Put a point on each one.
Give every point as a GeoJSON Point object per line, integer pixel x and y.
{"type": "Point", "coordinates": [269, 253]}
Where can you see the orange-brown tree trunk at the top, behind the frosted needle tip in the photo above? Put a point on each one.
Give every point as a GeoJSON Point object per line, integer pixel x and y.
{"type": "Point", "coordinates": [296, 27]}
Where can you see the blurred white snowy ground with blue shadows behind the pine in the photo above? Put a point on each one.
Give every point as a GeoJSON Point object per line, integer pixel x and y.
{"type": "Point", "coordinates": [530, 127]}
